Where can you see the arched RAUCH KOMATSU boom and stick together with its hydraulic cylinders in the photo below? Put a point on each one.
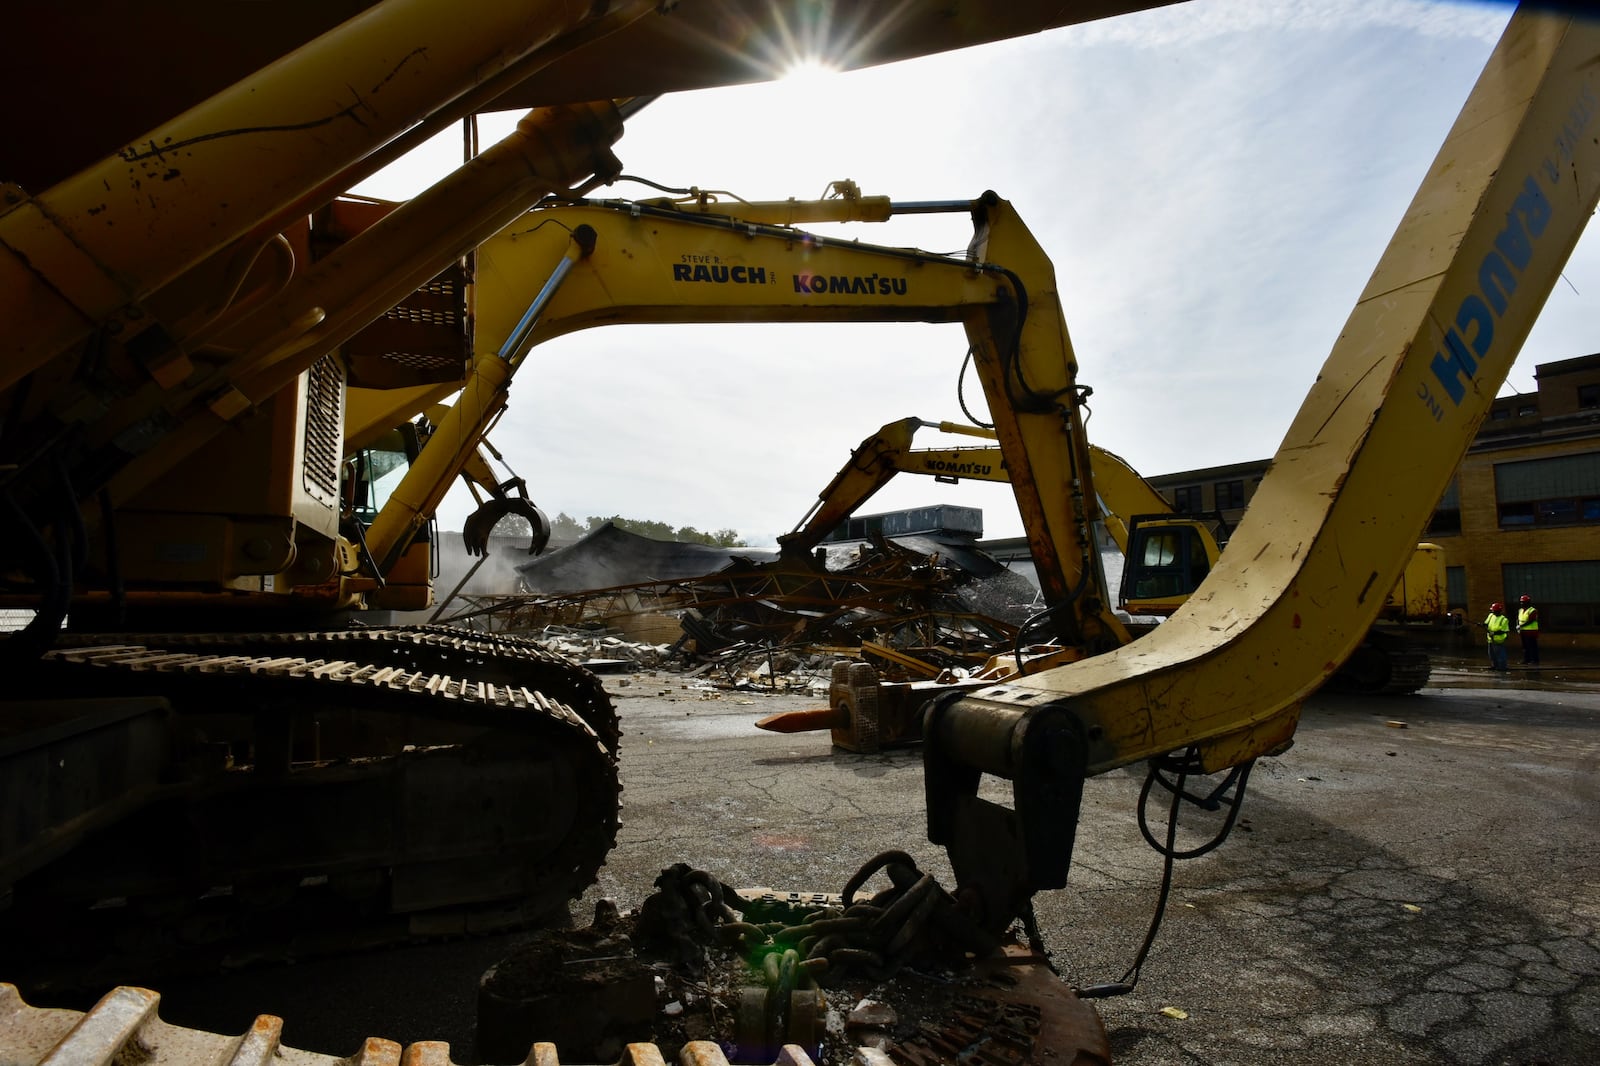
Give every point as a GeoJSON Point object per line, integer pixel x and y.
{"type": "Point", "coordinates": [702, 260]}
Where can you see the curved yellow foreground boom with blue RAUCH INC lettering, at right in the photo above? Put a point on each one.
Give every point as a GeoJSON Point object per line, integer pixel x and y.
{"type": "Point", "coordinates": [1353, 486]}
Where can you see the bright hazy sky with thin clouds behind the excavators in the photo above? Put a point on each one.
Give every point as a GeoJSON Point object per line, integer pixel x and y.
{"type": "Point", "coordinates": [1214, 182]}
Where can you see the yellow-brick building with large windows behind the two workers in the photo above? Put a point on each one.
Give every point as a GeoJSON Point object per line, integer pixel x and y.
{"type": "Point", "coordinates": [1522, 515]}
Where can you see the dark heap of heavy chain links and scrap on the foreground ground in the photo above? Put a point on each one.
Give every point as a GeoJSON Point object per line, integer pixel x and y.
{"type": "Point", "coordinates": [758, 972]}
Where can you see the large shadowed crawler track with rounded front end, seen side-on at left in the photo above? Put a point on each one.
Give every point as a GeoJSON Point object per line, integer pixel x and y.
{"type": "Point", "coordinates": [319, 795]}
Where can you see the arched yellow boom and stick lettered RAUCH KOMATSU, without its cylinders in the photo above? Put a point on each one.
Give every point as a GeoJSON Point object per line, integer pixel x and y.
{"type": "Point", "coordinates": [657, 265]}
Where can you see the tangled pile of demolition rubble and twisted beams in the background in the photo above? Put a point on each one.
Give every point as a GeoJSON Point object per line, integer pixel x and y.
{"type": "Point", "coordinates": [911, 606]}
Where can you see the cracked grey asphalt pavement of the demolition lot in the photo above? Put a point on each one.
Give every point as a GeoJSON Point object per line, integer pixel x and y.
{"type": "Point", "coordinates": [1417, 881]}
